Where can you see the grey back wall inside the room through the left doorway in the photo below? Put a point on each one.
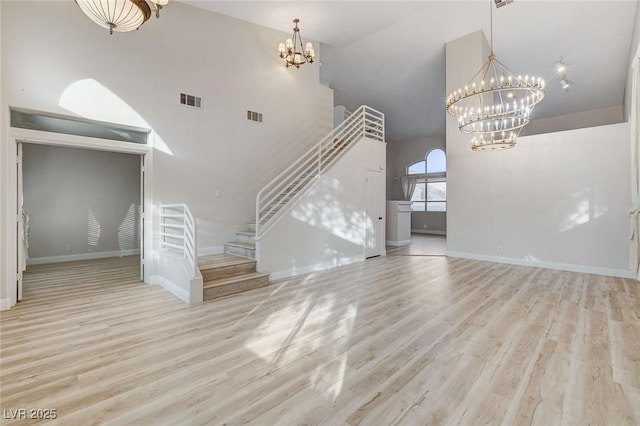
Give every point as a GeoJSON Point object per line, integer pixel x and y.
{"type": "Point", "coordinates": [81, 198]}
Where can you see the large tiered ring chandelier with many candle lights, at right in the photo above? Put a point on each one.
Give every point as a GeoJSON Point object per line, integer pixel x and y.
{"type": "Point", "coordinates": [496, 104]}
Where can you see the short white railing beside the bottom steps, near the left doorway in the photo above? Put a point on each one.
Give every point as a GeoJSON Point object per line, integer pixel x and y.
{"type": "Point", "coordinates": [178, 233]}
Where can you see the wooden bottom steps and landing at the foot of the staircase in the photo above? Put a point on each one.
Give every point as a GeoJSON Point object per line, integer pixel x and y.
{"type": "Point", "coordinates": [226, 274]}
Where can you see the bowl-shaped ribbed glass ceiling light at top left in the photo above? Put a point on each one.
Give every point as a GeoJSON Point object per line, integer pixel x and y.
{"type": "Point", "coordinates": [120, 15]}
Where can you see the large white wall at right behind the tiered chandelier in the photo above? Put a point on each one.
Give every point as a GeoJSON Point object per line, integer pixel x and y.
{"type": "Point", "coordinates": [559, 199]}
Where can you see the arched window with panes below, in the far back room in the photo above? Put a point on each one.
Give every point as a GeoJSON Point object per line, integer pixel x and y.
{"type": "Point", "coordinates": [430, 194]}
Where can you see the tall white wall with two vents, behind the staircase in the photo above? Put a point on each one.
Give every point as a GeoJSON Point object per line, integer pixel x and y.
{"type": "Point", "coordinates": [135, 78]}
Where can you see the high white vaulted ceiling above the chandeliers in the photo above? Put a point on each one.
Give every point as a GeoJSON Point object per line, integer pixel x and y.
{"type": "Point", "coordinates": [390, 54]}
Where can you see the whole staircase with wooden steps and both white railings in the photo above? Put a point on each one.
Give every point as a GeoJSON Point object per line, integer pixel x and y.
{"type": "Point", "coordinates": [236, 270]}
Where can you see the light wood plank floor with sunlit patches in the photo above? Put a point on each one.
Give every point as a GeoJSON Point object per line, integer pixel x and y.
{"type": "Point", "coordinates": [395, 340]}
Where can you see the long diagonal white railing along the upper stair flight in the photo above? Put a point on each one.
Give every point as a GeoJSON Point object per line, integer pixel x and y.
{"type": "Point", "coordinates": [288, 185]}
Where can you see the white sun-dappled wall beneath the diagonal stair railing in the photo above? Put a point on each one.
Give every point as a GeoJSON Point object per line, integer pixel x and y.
{"type": "Point", "coordinates": [325, 228]}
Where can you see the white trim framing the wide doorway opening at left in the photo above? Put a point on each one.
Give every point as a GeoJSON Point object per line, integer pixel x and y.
{"type": "Point", "coordinates": [10, 195]}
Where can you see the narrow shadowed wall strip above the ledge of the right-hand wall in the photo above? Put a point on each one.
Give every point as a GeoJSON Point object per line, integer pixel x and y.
{"type": "Point", "coordinates": [597, 117]}
